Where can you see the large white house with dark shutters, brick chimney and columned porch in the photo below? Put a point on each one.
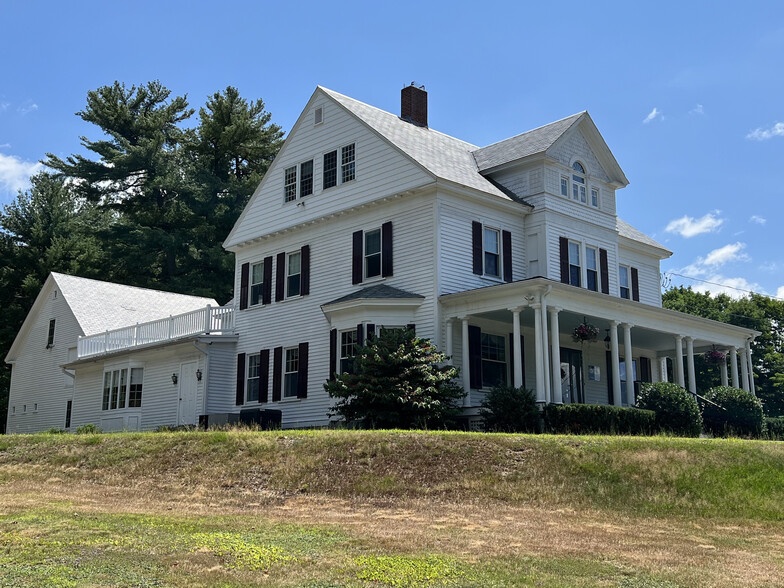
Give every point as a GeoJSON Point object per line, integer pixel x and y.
{"type": "Point", "coordinates": [368, 219]}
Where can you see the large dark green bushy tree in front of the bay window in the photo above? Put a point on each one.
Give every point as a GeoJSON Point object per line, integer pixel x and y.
{"type": "Point", "coordinates": [397, 382]}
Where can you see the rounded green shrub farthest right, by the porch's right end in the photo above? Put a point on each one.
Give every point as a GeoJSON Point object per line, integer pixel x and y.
{"type": "Point", "coordinates": [739, 412]}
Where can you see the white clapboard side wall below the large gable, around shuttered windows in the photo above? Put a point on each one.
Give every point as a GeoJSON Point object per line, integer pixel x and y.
{"type": "Point", "coordinates": [289, 322]}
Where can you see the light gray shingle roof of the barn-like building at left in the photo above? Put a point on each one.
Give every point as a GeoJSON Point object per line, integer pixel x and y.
{"type": "Point", "coordinates": [103, 306]}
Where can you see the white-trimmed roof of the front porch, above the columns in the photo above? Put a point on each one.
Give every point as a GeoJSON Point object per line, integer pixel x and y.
{"type": "Point", "coordinates": [655, 326]}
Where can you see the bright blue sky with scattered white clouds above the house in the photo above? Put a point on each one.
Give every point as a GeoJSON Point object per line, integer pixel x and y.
{"type": "Point", "coordinates": [688, 95]}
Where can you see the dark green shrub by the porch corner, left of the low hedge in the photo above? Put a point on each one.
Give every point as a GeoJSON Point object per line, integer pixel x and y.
{"type": "Point", "coordinates": [507, 409]}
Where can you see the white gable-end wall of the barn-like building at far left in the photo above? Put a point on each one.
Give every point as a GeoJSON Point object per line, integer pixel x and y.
{"type": "Point", "coordinates": [37, 378]}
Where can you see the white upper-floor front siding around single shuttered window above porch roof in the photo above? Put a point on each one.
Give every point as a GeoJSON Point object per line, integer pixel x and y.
{"type": "Point", "coordinates": [455, 217]}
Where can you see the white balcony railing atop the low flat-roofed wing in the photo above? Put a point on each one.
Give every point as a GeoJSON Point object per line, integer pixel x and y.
{"type": "Point", "coordinates": [212, 320]}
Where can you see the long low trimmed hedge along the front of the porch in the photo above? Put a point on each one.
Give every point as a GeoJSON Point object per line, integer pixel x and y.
{"type": "Point", "coordinates": [599, 419]}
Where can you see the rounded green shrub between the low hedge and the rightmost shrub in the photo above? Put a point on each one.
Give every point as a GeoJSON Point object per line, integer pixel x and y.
{"type": "Point", "coordinates": [676, 410]}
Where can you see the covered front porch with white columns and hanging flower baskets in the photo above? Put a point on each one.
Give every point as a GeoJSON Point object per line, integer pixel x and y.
{"type": "Point", "coordinates": [521, 334]}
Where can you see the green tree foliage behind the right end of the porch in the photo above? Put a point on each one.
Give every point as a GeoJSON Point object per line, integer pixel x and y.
{"type": "Point", "coordinates": [755, 311]}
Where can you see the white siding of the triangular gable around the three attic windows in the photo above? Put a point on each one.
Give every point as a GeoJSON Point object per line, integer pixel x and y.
{"type": "Point", "coordinates": [380, 170]}
